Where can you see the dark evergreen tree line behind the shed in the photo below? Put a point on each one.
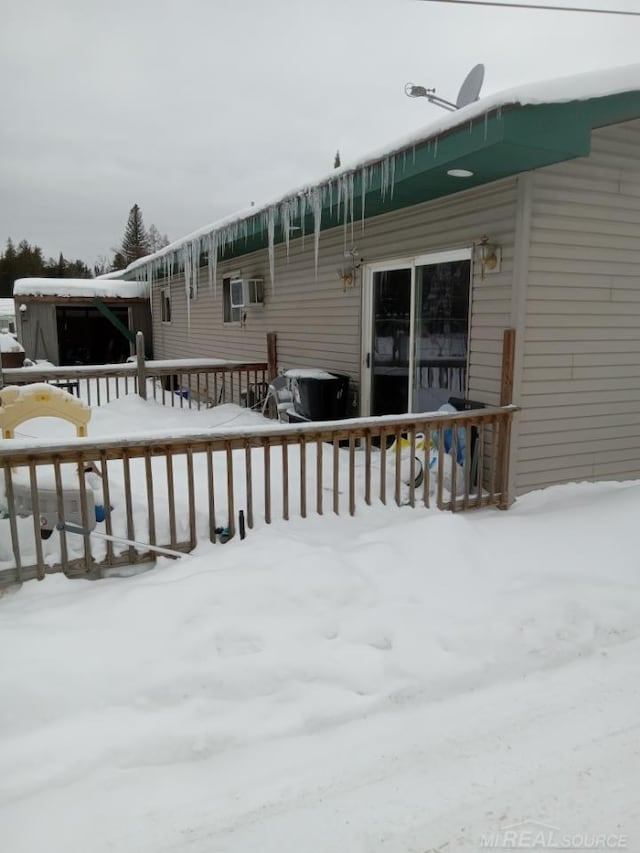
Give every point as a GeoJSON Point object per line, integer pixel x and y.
{"type": "Point", "coordinates": [27, 261]}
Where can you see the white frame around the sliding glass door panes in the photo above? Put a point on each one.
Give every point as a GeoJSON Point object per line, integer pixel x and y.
{"type": "Point", "coordinates": [366, 338]}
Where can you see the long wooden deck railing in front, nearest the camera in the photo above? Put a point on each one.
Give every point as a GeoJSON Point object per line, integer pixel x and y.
{"type": "Point", "coordinates": [172, 492]}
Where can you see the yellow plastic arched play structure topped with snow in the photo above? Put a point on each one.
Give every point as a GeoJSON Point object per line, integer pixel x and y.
{"type": "Point", "coordinates": [39, 400]}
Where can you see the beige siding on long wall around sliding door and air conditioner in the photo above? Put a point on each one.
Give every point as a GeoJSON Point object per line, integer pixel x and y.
{"type": "Point", "coordinates": [318, 321]}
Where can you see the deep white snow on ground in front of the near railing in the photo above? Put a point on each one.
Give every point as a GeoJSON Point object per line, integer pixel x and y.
{"type": "Point", "coordinates": [401, 681]}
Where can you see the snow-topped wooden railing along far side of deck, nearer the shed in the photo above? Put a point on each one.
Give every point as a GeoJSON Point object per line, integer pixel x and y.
{"type": "Point", "coordinates": [185, 383]}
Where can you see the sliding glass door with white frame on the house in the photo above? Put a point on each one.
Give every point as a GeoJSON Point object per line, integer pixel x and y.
{"type": "Point", "coordinates": [415, 345]}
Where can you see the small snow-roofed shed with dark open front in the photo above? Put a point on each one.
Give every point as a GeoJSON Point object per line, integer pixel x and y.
{"type": "Point", "coordinates": [81, 321]}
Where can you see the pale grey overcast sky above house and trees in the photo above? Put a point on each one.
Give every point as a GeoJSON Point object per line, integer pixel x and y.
{"type": "Point", "coordinates": [193, 109]}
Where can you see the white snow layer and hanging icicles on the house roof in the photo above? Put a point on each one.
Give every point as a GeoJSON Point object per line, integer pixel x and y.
{"type": "Point", "coordinates": [218, 236]}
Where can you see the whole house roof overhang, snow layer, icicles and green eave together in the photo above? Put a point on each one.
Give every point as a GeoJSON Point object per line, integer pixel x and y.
{"type": "Point", "coordinates": [516, 130]}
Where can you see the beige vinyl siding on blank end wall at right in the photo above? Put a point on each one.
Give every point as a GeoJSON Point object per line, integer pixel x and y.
{"type": "Point", "coordinates": [580, 388]}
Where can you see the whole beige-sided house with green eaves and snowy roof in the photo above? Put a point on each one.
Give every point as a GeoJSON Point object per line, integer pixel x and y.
{"type": "Point", "coordinates": [520, 211]}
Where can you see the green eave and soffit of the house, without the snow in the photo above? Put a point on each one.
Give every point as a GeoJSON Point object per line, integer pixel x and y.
{"type": "Point", "coordinates": [504, 142]}
